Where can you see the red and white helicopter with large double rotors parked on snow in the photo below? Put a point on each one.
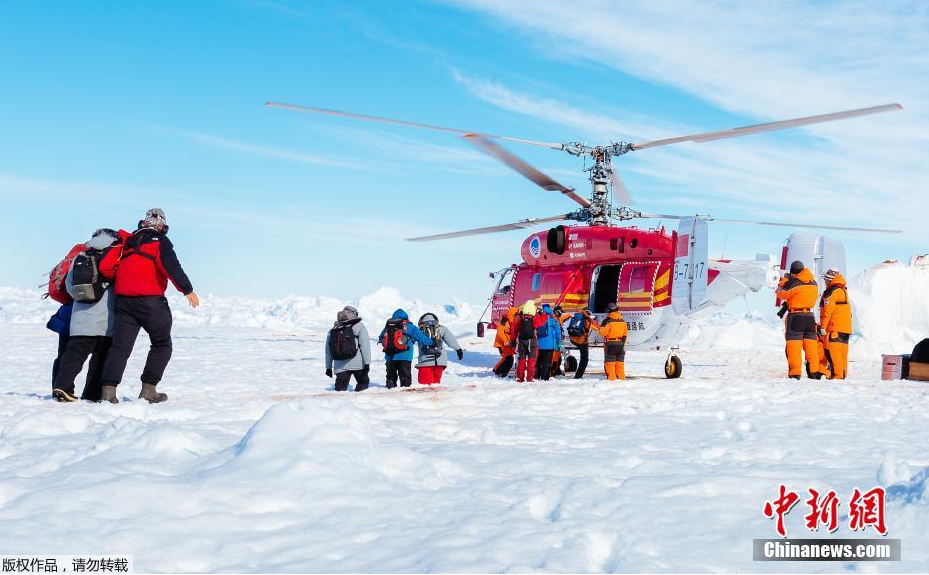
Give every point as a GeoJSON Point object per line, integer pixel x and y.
{"type": "Point", "coordinates": [662, 281]}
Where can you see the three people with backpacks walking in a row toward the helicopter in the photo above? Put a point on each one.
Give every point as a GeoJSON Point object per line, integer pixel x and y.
{"type": "Point", "coordinates": [348, 349]}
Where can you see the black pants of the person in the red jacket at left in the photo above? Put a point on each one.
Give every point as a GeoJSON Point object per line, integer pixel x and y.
{"type": "Point", "coordinates": [152, 314]}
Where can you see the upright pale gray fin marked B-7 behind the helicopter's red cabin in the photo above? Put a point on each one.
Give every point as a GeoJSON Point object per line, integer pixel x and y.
{"type": "Point", "coordinates": [688, 287]}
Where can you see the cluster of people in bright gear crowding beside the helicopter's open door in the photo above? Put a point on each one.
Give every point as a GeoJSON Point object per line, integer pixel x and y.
{"type": "Point", "coordinates": [533, 338]}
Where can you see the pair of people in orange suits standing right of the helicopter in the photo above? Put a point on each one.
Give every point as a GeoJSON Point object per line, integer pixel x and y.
{"type": "Point", "coordinates": [824, 343]}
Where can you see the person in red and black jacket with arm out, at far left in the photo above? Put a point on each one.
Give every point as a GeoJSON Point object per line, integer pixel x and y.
{"type": "Point", "coordinates": [140, 270]}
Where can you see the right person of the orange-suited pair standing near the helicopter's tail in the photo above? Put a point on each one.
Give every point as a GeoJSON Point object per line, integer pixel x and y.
{"type": "Point", "coordinates": [835, 324]}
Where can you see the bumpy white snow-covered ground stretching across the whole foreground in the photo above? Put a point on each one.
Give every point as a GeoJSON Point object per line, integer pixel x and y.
{"type": "Point", "coordinates": [254, 466]}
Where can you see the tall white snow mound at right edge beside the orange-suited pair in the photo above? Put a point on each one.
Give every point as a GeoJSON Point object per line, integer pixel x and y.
{"type": "Point", "coordinates": [890, 306]}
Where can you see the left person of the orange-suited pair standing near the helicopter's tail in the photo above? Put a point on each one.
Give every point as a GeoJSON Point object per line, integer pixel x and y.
{"type": "Point", "coordinates": [799, 292]}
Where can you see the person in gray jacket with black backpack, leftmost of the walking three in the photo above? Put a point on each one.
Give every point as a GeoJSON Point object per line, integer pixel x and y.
{"type": "Point", "coordinates": [348, 351]}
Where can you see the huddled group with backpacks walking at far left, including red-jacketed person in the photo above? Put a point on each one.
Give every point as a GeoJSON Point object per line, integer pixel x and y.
{"type": "Point", "coordinates": [110, 288]}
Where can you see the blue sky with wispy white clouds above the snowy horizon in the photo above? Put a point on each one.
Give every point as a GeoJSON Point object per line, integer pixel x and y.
{"type": "Point", "coordinates": [109, 108]}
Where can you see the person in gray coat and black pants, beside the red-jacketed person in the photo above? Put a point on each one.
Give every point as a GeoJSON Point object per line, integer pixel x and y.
{"type": "Point", "coordinates": [91, 332]}
